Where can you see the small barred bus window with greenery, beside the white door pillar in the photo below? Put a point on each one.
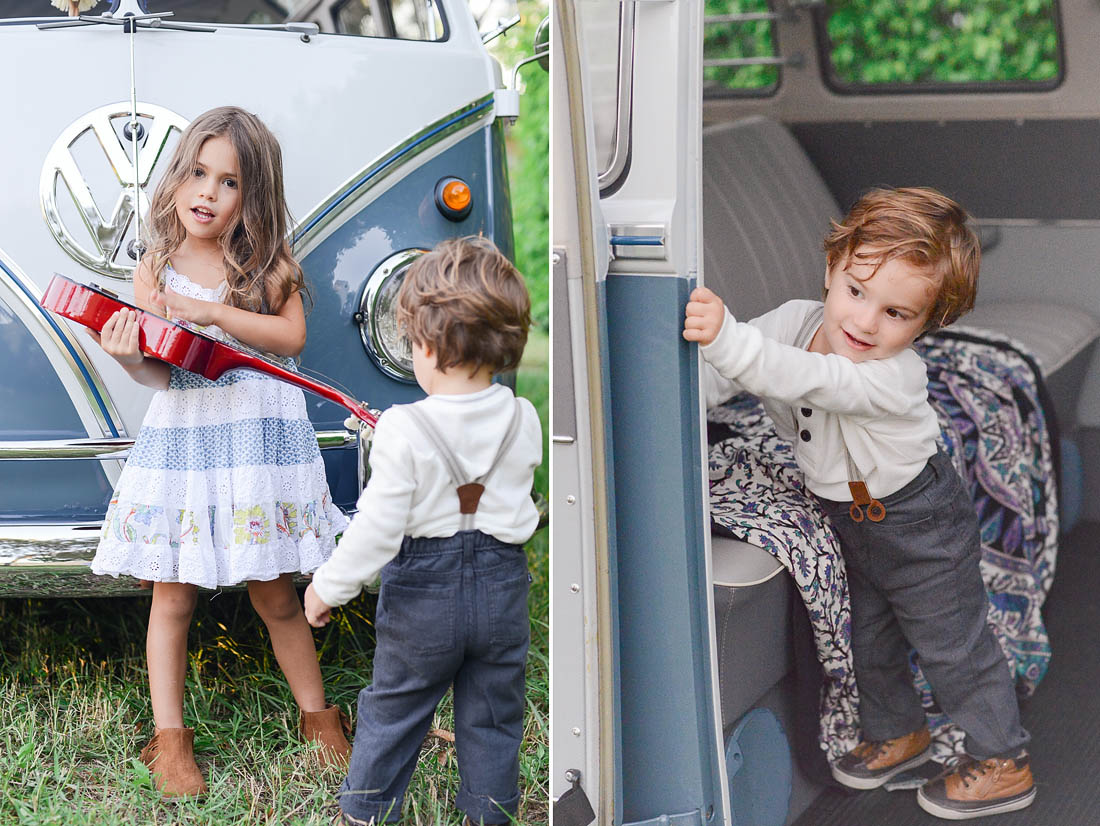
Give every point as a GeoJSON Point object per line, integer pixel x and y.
{"type": "Point", "coordinates": [740, 54]}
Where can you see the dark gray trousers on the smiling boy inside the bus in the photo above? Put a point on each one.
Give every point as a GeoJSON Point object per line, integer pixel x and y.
{"type": "Point", "coordinates": [915, 582]}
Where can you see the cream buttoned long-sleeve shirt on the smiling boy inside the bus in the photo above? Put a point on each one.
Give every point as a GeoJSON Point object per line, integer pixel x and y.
{"type": "Point", "coordinates": [878, 409]}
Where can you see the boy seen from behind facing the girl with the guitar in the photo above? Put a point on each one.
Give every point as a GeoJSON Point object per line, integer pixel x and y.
{"type": "Point", "coordinates": [444, 519]}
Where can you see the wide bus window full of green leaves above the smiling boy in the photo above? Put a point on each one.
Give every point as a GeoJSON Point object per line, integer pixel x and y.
{"type": "Point", "coordinates": [948, 47]}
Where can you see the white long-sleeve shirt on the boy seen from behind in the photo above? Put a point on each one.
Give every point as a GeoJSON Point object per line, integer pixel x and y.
{"type": "Point", "coordinates": [411, 492]}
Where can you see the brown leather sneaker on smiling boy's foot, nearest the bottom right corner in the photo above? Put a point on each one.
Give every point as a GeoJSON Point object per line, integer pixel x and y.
{"type": "Point", "coordinates": [978, 788]}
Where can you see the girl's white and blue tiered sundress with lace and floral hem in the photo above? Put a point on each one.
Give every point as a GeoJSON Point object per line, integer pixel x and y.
{"type": "Point", "coordinates": [225, 482]}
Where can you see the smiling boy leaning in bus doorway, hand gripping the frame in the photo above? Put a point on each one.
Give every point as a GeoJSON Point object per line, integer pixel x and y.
{"type": "Point", "coordinates": [841, 376]}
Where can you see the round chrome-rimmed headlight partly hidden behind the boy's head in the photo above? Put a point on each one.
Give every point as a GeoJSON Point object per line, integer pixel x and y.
{"type": "Point", "coordinates": [378, 317]}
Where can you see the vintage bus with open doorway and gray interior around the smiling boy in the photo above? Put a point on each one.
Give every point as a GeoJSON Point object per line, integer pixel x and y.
{"type": "Point", "coordinates": [711, 145]}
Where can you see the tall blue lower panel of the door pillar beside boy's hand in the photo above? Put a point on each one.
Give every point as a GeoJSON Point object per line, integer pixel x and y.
{"type": "Point", "coordinates": [665, 668]}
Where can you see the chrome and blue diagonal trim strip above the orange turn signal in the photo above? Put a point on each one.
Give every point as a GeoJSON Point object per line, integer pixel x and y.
{"type": "Point", "coordinates": [379, 170]}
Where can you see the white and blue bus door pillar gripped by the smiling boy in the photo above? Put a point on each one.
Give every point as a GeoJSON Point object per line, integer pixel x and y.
{"type": "Point", "coordinates": [636, 726]}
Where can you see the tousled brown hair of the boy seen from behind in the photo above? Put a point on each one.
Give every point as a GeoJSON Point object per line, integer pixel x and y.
{"type": "Point", "coordinates": [468, 303]}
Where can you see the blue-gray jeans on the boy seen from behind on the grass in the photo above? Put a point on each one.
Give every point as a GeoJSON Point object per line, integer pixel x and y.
{"type": "Point", "coordinates": [452, 611]}
